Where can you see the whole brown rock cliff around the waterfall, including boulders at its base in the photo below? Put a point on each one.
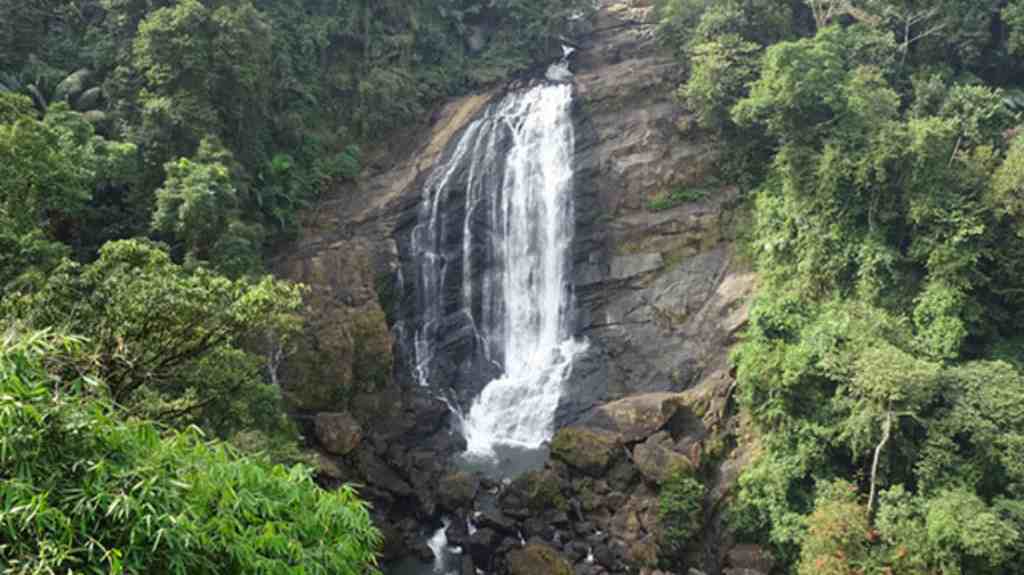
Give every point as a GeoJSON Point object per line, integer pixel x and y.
{"type": "Point", "coordinates": [661, 296]}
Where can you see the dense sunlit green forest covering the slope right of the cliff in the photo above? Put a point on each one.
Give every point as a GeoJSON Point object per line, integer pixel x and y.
{"type": "Point", "coordinates": [882, 368]}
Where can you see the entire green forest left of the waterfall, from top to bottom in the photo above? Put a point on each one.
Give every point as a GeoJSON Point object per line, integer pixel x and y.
{"type": "Point", "coordinates": [152, 153]}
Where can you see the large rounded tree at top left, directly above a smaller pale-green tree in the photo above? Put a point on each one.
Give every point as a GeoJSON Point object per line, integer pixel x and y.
{"type": "Point", "coordinates": [207, 71]}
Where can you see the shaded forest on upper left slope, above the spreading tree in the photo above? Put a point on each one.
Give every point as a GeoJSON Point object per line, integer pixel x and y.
{"type": "Point", "coordinates": [236, 114]}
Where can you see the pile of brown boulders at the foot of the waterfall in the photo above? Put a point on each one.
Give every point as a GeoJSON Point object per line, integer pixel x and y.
{"type": "Point", "coordinates": [598, 503]}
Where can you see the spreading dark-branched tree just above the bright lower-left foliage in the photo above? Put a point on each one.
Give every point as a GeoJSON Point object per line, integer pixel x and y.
{"type": "Point", "coordinates": [172, 343]}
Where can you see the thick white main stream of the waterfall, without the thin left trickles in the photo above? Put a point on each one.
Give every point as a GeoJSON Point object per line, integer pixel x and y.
{"type": "Point", "coordinates": [536, 216]}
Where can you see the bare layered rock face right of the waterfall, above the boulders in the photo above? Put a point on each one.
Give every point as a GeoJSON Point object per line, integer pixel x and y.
{"type": "Point", "coordinates": [660, 292]}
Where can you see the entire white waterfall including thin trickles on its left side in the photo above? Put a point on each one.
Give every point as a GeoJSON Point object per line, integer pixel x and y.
{"type": "Point", "coordinates": [497, 222]}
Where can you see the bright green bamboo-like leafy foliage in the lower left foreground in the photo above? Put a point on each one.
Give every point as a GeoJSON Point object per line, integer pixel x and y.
{"type": "Point", "coordinates": [86, 491]}
